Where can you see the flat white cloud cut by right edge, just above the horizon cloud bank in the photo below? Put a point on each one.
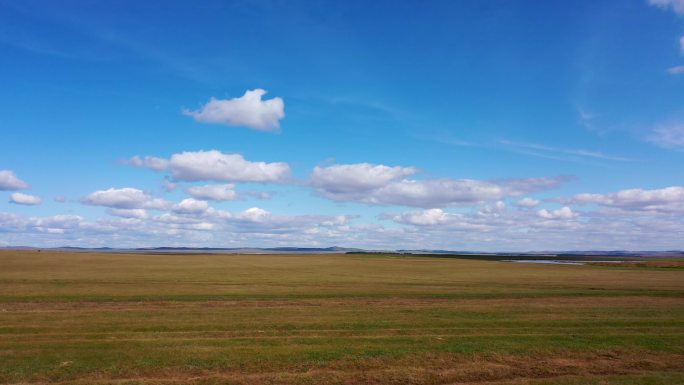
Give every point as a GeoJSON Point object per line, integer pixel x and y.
{"type": "Point", "coordinates": [669, 200]}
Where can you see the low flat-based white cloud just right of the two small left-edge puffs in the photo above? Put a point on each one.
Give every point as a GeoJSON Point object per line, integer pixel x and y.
{"type": "Point", "coordinates": [125, 198]}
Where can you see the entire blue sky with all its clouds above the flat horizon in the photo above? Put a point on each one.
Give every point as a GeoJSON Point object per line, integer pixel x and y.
{"type": "Point", "coordinates": [493, 125]}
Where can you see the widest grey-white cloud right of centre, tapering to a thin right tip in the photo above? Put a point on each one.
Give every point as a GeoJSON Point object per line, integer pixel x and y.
{"type": "Point", "coordinates": [384, 185]}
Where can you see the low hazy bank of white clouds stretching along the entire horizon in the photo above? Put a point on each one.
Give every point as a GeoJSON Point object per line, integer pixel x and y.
{"type": "Point", "coordinates": [509, 230]}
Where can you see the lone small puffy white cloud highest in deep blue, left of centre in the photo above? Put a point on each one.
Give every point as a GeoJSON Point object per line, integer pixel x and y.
{"type": "Point", "coordinates": [249, 110]}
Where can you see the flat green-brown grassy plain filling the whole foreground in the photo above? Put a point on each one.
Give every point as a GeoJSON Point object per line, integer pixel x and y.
{"type": "Point", "coordinates": [89, 318]}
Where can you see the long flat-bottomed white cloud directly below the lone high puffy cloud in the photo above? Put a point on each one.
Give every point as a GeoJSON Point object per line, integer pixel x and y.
{"type": "Point", "coordinates": [214, 165]}
